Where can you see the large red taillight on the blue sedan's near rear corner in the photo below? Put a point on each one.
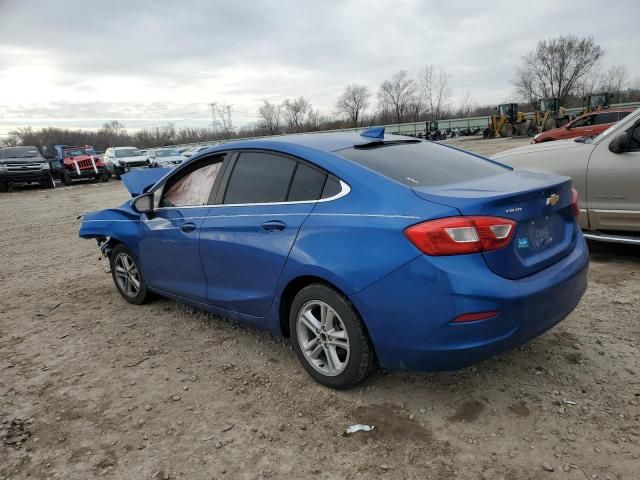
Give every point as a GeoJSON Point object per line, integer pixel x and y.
{"type": "Point", "coordinates": [461, 235]}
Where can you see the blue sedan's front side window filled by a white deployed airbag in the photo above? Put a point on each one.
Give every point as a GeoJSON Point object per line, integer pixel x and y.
{"type": "Point", "coordinates": [193, 185]}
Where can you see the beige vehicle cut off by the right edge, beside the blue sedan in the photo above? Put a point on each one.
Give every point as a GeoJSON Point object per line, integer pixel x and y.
{"type": "Point", "coordinates": [606, 173]}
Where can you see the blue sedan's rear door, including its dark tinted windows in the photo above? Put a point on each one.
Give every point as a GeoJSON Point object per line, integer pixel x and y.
{"type": "Point", "coordinates": [246, 239]}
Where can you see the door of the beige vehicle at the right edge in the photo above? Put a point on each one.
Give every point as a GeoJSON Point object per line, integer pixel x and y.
{"type": "Point", "coordinates": [612, 185]}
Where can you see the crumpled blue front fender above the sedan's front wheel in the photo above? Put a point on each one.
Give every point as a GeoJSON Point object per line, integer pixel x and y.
{"type": "Point", "coordinates": [119, 224]}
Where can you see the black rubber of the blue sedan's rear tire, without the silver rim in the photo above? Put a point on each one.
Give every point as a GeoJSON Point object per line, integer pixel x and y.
{"type": "Point", "coordinates": [361, 359]}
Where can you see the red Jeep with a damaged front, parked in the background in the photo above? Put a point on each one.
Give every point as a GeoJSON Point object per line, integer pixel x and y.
{"type": "Point", "coordinates": [74, 163]}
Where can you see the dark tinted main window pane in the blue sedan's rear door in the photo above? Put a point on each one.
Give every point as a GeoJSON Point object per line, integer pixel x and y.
{"type": "Point", "coordinates": [259, 177]}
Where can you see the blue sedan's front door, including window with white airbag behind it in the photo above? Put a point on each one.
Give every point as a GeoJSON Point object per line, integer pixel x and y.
{"type": "Point", "coordinates": [169, 237]}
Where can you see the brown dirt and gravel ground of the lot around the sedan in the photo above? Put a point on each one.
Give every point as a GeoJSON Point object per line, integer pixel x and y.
{"type": "Point", "coordinates": [92, 387]}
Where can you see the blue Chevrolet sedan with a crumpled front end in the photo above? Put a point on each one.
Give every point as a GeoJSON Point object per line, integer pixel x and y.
{"type": "Point", "coordinates": [365, 249]}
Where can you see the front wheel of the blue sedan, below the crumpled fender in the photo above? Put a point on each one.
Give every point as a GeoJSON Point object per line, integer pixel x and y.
{"type": "Point", "coordinates": [125, 271]}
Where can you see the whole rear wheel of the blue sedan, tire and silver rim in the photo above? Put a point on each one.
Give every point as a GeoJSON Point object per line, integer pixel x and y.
{"type": "Point", "coordinates": [345, 367]}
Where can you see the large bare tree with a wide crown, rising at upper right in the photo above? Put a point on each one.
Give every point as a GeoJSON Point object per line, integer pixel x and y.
{"type": "Point", "coordinates": [556, 67]}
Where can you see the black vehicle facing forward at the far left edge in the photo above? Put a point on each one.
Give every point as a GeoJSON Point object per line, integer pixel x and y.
{"type": "Point", "coordinates": [24, 165]}
